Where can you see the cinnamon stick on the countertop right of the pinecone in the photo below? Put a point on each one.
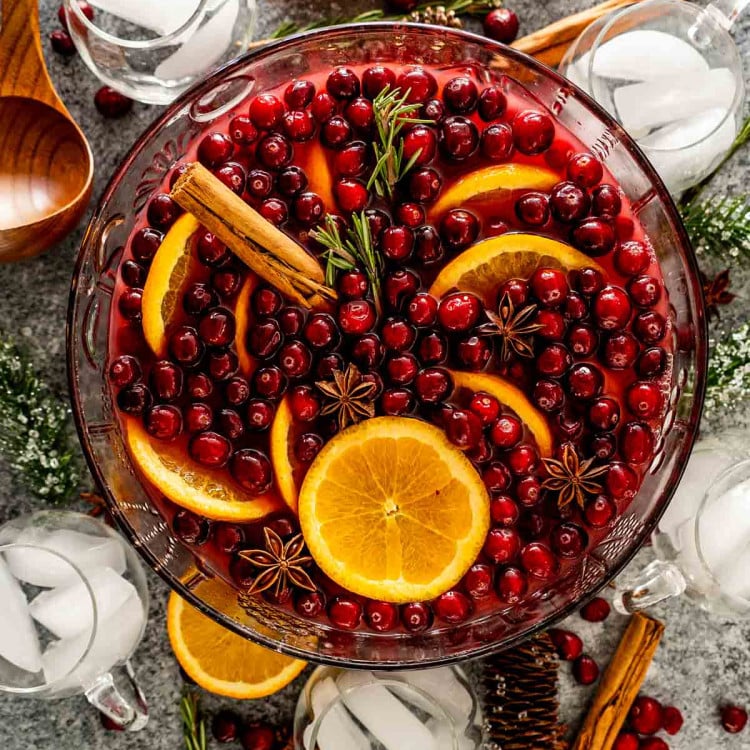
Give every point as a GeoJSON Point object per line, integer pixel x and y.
{"type": "Point", "coordinates": [620, 684]}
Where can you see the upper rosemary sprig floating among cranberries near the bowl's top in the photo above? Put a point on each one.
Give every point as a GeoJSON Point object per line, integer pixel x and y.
{"type": "Point", "coordinates": [392, 112]}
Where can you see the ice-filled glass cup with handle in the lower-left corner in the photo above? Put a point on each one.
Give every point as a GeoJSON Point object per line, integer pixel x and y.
{"type": "Point", "coordinates": [75, 604]}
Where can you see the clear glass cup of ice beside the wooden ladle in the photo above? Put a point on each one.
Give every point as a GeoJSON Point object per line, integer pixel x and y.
{"type": "Point", "coordinates": [153, 51]}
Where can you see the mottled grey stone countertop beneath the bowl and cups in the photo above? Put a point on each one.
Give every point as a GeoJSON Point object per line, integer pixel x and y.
{"type": "Point", "coordinates": [702, 661]}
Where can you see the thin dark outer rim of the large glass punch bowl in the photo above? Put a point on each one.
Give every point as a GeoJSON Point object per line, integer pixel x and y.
{"type": "Point", "coordinates": [639, 532]}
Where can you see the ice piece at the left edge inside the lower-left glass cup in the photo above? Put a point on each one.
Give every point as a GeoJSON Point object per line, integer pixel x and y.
{"type": "Point", "coordinates": [19, 641]}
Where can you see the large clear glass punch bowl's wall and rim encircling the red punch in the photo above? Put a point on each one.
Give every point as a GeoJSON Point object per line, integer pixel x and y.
{"type": "Point", "coordinates": [139, 176]}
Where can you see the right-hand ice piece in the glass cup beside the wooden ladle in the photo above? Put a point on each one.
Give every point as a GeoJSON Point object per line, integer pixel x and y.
{"type": "Point", "coordinates": [204, 49]}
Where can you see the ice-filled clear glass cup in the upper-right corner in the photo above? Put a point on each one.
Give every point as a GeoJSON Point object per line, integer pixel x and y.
{"type": "Point", "coordinates": [671, 75]}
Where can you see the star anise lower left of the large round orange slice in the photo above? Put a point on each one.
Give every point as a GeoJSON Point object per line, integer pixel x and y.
{"type": "Point", "coordinates": [280, 564]}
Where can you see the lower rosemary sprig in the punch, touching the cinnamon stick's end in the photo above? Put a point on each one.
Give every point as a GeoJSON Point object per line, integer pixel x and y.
{"type": "Point", "coordinates": [354, 250]}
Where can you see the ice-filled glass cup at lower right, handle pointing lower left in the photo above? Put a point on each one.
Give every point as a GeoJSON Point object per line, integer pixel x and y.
{"type": "Point", "coordinates": [706, 555]}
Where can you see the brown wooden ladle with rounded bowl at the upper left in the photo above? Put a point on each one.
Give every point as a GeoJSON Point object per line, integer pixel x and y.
{"type": "Point", "coordinates": [46, 166]}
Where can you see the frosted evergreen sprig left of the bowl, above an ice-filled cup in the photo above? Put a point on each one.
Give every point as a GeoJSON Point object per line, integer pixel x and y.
{"type": "Point", "coordinates": [35, 429]}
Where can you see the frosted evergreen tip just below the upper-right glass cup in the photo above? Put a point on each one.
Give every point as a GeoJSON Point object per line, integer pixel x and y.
{"type": "Point", "coordinates": [720, 226]}
